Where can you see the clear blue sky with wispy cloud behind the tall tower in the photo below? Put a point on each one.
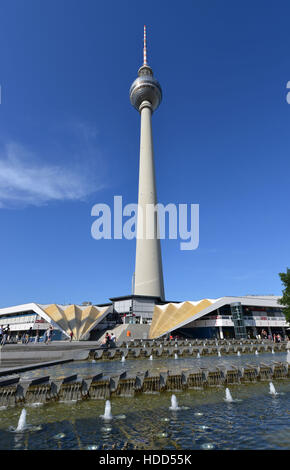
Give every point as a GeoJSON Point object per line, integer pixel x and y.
{"type": "Point", "coordinates": [69, 139]}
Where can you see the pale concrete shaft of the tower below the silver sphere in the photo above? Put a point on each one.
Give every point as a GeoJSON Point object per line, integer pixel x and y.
{"type": "Point", "coordinates": [148, 267]}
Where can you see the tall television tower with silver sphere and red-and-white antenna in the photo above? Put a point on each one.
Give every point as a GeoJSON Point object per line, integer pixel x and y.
{"type": "Point", "coordinates": [145, 96]}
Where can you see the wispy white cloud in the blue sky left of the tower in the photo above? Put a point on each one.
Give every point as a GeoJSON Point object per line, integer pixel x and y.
{"type": "Point", "coordinates": [25, 180]}
